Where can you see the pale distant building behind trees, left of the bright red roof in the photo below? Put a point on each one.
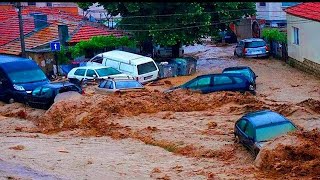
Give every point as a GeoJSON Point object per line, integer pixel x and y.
{"type": "Point", "coordinates": [273, 12]}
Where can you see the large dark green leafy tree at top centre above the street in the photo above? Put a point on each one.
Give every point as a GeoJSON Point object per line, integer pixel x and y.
{"type": "Point", "coordinates": [174, 24]}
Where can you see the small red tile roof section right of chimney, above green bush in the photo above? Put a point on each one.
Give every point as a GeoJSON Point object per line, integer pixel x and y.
{"type": "Point", "coordinates": [87, 32]}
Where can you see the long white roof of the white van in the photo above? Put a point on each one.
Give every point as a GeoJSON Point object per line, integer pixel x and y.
{"type": "Point", "coordinates": [126, 57]}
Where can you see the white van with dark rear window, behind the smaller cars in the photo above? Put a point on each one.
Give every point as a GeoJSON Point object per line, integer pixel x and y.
{"type": "Point", "coordinates": [142, 68]}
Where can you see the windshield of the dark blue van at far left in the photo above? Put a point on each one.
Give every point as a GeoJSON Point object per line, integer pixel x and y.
{"type": "Point", "coordinates": [27, 76]}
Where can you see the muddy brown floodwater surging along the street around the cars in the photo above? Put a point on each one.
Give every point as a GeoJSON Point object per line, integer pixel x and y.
{"type": "Point", "coordinates": [181, 135]}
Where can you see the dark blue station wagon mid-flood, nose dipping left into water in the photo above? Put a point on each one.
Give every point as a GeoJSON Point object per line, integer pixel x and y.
{"type": "Point", "coordinates": [217, 82]}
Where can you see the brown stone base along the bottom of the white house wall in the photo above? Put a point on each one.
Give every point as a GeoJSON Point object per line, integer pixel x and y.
{"type": "Point", "coordinates": [307, 66]}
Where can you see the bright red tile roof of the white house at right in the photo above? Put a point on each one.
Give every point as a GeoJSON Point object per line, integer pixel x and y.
{"type": "Point", "coordinates": [308, 10]}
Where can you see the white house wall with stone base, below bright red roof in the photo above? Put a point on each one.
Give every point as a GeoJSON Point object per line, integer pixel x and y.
{"type": "Point", "coordinates": [307, 53]}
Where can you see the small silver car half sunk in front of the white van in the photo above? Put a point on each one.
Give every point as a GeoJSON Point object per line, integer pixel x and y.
{"type": "Point", "coordinates": [113, 85]}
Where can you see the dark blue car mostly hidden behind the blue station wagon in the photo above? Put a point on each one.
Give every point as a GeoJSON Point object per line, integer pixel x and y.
{"type": "Point", "coordinates": [245, 70]}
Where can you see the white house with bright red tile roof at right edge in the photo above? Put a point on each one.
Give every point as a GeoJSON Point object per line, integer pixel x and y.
{"type": "Point", "coordinates": [303, 36]}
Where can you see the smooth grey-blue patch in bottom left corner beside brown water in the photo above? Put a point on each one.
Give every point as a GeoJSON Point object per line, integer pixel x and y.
{"type": "Point", "coordinates": [20, 171]}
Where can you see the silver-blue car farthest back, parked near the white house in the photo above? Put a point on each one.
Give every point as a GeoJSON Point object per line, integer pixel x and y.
{"type": "Point", "coordinates": [252, 47]}
